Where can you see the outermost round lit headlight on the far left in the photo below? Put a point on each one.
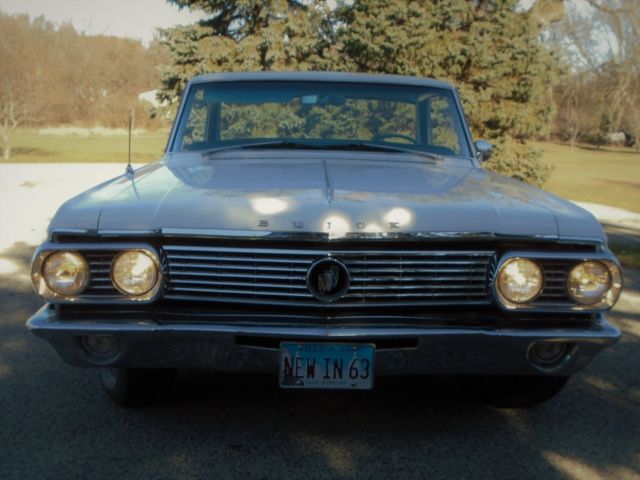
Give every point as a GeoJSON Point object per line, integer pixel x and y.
{"type": "Point", "coordinates": [66, 273]}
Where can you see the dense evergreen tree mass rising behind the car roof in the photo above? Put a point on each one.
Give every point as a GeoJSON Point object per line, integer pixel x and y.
{"type": "Point", "coordinates": [489, 49]}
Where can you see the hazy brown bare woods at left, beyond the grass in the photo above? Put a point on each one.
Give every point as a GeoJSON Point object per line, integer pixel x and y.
{"type": "Point", "coordinates": [51, 74]}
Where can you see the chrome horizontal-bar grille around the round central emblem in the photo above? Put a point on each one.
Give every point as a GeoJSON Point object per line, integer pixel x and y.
{"type": "Point", "coordinates": [278, 276]}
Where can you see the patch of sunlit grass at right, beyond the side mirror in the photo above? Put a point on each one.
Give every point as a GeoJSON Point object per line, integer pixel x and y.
{"type": "Point", "coordinates": [610, 176]}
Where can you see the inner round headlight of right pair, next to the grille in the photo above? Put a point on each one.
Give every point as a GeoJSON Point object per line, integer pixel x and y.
{"type": "Point", "coordinates": [520, 280]}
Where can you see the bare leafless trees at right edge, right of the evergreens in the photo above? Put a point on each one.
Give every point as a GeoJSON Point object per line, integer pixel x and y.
{"type": "Point", "coordinates": [600, 92]}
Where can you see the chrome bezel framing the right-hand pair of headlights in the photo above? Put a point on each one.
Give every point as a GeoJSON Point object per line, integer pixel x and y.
{"type": "Point", "coordinates": [571, 259]}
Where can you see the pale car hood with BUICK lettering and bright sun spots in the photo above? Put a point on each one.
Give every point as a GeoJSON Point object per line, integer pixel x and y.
{"type": "Point", "coordinates": [336, 193]}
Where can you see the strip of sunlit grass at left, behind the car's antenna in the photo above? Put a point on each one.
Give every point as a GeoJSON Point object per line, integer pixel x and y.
{"type": "Point", "coordinates": [28, 146]}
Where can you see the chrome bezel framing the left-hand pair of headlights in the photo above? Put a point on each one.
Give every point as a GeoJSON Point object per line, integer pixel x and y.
{"type": "Point", "coordinates": [89, 296]}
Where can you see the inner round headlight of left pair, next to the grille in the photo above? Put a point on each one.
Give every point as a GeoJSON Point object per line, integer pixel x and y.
{"type": "Point", "coordinates": [134, 272]}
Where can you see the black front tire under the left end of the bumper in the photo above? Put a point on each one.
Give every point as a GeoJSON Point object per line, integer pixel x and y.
{"type": "Point", "coordinates": [137, 386]}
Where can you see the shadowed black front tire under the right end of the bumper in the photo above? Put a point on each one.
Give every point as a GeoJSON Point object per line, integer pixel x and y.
{"type": "Point", "coordinates": [514, 391]}
